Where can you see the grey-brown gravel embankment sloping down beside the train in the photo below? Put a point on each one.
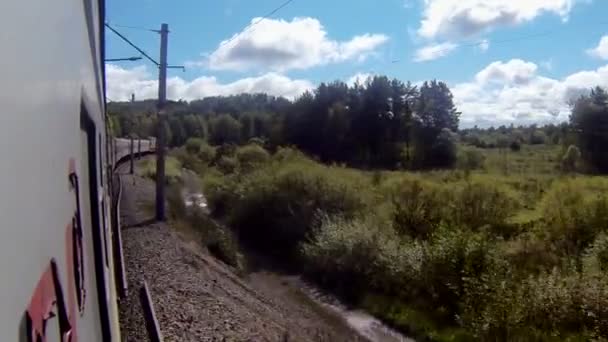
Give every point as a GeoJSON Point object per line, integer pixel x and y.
{"type": "Point", "coordinates": [198, 298]}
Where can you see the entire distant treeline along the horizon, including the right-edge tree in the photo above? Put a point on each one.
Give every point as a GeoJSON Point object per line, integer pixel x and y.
{"type": "Point", "coordinates": [382, 123]}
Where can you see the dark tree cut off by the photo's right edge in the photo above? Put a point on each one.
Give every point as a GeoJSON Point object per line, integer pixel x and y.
{"type": "Point", "coordinates": [589, 120]}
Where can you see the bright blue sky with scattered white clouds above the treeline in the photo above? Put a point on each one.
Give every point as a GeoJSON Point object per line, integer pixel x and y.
{"type": "Point", "coordinates": [517, 61]}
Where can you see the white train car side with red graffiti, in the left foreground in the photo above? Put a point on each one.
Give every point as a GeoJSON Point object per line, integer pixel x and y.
{"type": "Point", "coordinates": [56, 256]}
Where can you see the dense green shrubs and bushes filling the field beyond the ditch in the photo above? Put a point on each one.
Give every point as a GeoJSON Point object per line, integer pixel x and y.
{"type": "Point", "coordinates": [442, 255]}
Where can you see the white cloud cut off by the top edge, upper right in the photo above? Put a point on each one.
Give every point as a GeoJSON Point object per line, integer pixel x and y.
{"type": "Point", "coordinates": [461, 18]}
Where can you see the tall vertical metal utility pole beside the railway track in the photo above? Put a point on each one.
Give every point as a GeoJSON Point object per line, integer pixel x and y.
{"type": "Point", "coordinates": [160, 151]}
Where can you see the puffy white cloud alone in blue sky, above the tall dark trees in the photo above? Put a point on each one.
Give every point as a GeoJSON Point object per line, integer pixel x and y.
{"type": "Point", "coordinates": [280, 45]}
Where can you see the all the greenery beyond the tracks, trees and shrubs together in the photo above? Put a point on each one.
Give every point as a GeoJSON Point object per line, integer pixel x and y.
{"type": "Point", "coordinates": [373, 192]}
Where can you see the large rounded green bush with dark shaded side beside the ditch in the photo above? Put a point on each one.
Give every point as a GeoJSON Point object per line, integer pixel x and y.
{"type": "Point", "coordinates": [275, 205]}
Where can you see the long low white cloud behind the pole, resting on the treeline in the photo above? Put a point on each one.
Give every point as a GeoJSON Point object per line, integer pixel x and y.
{"type": "Point", "coordinates": [121, 83]}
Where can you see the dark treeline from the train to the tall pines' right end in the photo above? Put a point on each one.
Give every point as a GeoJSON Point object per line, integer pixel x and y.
{"type": "Point", "coordinates": [382, 123]}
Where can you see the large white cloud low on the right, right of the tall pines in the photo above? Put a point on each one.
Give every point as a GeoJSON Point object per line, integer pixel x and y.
{"type": "Point", "coordinates": [514, 92]}
